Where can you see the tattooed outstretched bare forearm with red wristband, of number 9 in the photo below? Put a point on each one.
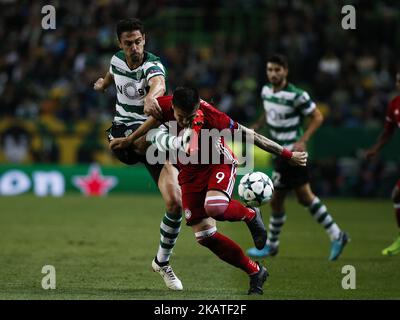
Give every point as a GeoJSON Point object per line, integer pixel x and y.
{"type": "Point", "coordinates": [295, 158]}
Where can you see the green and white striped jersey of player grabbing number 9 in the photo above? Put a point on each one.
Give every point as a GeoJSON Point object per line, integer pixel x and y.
{"type": "Point", "coordinates": [132, 86]}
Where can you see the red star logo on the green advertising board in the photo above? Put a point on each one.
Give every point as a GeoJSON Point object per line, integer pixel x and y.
{"type": "Point", "coordinates": [94, 184]}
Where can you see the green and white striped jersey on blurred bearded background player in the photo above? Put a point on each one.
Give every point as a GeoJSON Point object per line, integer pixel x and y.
{"type": "Point", "coordinates": [284, 112]}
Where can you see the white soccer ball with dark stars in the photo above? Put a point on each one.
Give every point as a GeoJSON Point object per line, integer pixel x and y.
{"type": "Point", "coordinates": [255, 189]}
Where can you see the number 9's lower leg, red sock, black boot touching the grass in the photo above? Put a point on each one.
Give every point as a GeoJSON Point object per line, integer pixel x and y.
{"type": "Point", "coordinates": [229, 251]}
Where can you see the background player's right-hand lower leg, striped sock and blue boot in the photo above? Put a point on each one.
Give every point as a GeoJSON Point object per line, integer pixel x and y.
{"type": "Point", "coordinates": [320, 213]}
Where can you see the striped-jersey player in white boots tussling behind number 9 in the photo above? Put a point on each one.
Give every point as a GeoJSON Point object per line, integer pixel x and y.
{"type": "Point", "coordinates": [139, 77]}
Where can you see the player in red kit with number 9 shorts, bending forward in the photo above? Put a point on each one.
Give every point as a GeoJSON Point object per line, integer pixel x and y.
{"type": "Point", "coordinates": [207, 186]}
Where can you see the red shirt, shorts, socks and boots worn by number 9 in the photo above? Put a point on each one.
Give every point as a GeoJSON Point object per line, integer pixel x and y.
{"type": "Point", "coordinates": [196, 179]}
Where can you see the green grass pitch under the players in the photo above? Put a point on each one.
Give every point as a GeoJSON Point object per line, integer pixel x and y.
{"type": "Point", "coordinates": [102, 248]}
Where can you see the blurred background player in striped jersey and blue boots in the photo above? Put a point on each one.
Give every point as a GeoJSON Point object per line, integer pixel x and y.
{"type": "Point", "coordinates": [285, 107]}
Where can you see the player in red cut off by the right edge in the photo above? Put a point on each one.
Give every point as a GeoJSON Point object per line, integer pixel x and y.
{"type": "Point", "coordinates": [392, 121]}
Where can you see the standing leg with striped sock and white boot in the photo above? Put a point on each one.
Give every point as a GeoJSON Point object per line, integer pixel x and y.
{"type": "Point", "coordinates": [170, 225]}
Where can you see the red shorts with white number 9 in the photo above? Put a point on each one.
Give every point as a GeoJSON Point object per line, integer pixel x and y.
{"type": "Point", "coordinates": [195, 184]}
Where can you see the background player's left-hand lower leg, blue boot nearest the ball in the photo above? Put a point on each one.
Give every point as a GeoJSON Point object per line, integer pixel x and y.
{"type": "Point", "coordinates": [276, 222]}
